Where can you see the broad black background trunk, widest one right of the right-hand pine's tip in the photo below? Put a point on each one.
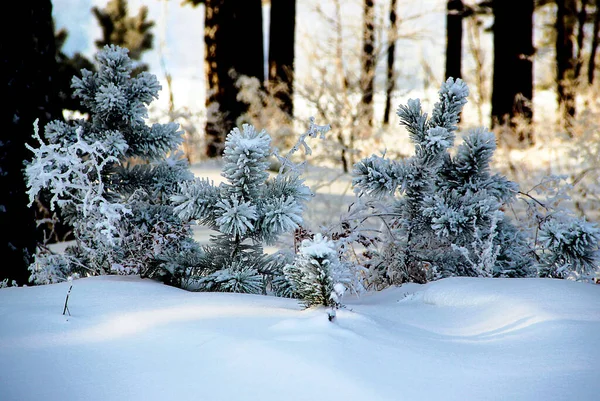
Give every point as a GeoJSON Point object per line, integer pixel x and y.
{"type": "Point", "coordinates": [512, 91]}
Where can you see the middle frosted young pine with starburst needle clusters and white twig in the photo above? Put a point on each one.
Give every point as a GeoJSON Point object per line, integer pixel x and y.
{"type": "Point", "coordinates": [249, 210]}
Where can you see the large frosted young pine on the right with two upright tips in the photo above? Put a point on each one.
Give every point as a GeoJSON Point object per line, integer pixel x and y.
{"type": "Point", "coordinates": [444, 213]}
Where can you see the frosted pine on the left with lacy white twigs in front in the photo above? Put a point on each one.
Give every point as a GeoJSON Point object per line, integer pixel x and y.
{"type": "Point", "coordinates": [111, 176]}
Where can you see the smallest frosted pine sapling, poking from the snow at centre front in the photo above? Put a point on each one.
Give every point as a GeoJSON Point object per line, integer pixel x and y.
{"type": "Point", "coordinates": [317, 276]}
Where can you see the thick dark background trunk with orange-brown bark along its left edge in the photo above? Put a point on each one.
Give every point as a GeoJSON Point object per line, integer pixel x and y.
{"type": "Point", "coordinates": [233, 46]}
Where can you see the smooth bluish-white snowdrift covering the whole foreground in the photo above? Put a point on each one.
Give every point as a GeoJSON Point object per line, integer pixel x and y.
{"type": "Point", "coordinates": [454, 339]}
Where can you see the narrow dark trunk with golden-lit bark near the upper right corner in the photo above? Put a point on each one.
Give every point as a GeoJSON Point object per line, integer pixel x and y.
{"type": "Point", "coordinates": [566, 19]}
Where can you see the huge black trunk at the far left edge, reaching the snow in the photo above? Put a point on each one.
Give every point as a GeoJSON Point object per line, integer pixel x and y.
{"type": "Point", "coordinates": [28, 55]}
